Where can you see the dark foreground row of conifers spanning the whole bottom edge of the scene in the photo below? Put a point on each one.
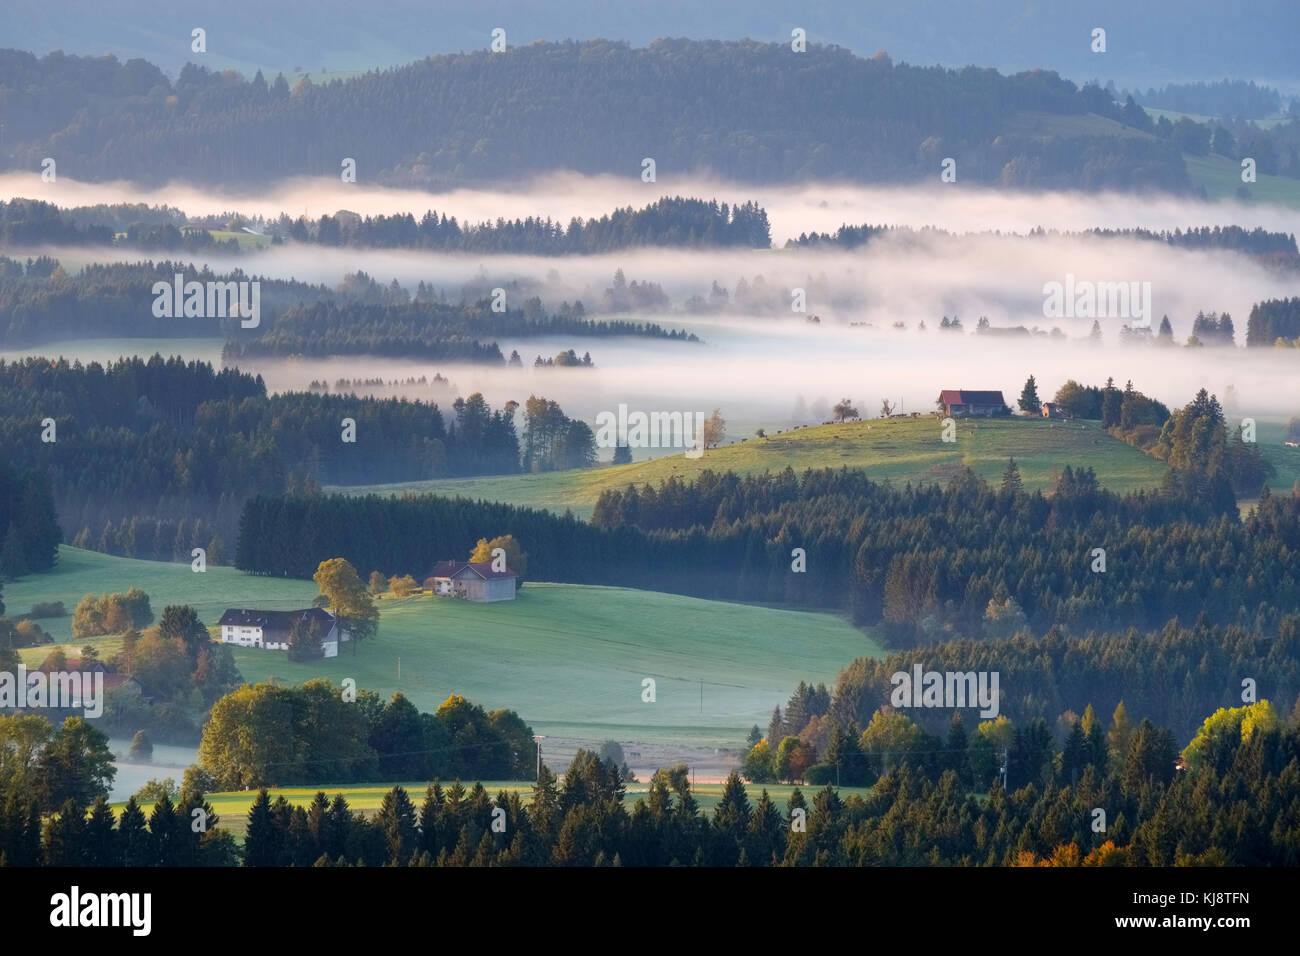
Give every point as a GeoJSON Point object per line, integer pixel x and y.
{"type": "Point", "coordinates": [1234, 807]}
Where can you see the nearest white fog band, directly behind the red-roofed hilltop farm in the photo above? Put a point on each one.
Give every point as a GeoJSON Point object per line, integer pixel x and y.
{"type": "Point", "coordinates": [757, 378]}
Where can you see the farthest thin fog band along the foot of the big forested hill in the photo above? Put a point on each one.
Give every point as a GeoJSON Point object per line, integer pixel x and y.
{"type": "Point", "coordinates": [792, 209]}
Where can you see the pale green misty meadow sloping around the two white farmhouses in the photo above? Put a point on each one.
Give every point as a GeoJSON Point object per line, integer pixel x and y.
{"type": "Point", "coordinates": [571, 660]}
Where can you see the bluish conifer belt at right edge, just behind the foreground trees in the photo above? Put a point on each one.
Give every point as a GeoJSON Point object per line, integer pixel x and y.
{"type": "Point", "coordinates": [1173, 676]}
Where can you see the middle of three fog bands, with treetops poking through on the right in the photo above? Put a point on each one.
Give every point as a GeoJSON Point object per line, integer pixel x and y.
{"type": "Point", "coordinates": [895, 279]}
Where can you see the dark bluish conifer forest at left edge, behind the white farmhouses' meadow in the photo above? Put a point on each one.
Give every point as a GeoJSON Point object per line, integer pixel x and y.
{"type": "Point", "coordinates": [154, 458]}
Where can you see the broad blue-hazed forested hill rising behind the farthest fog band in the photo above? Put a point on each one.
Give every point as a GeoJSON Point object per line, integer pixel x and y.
{"type": "Point", "coordinates": [726, 109]}
